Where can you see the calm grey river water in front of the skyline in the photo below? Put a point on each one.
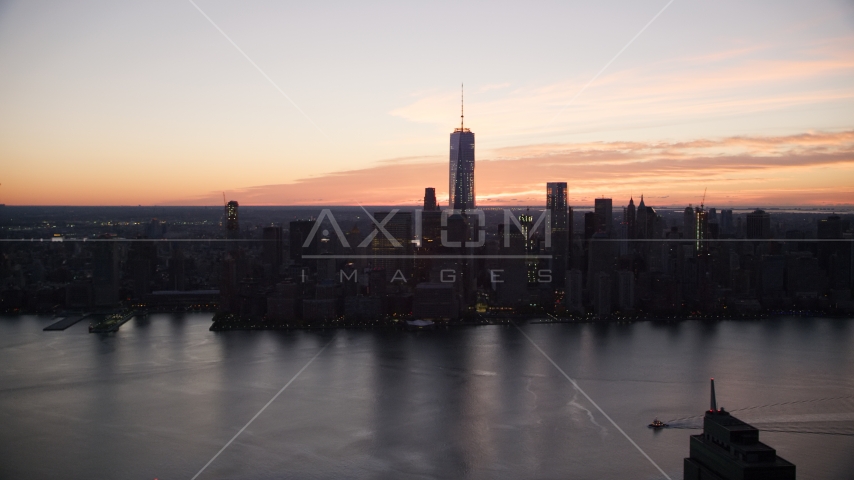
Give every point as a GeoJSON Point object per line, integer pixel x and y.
{"type": "Point", "coordinates": [162, 396]}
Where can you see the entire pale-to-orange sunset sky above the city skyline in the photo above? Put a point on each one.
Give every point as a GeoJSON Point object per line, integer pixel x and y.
{"type": "Point", "coordinates": [126, 103]}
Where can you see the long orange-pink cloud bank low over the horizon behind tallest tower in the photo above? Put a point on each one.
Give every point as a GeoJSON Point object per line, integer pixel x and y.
{"type": "Point", "coordinates": [803, 169]}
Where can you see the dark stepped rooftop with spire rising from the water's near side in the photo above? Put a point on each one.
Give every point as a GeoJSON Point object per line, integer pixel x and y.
{"type": "Point", "coordinates": [729, 449]}
